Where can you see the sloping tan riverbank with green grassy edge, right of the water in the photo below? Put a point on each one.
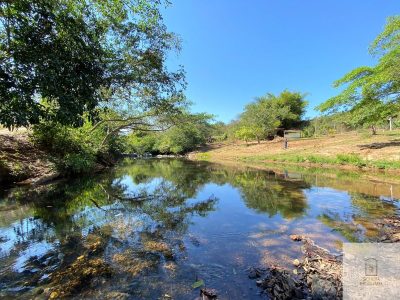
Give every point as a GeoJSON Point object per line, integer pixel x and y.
{"type": "Point", "coordinates": [349, 151]}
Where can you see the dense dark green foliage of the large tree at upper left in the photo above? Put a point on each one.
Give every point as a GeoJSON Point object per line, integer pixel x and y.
{"type": "Point", "coordinates": [73, 55]}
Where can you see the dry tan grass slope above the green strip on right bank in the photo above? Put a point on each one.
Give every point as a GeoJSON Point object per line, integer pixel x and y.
{"type": "Point", "coordinates": [383, 147]}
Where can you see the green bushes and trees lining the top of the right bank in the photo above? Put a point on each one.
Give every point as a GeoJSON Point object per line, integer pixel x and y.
{"type": "Point", "coordinates": [369, 99]}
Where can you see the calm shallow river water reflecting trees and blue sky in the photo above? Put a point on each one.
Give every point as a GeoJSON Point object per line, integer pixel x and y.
{"type": "Point", "coordinates": [152, 229]}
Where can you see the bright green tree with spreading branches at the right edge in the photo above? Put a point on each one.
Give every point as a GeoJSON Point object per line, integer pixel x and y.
{"type": "Point", "coordinates": [371, 94]}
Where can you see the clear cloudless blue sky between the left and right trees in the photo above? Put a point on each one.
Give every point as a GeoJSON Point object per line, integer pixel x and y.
{"type": "Point", "coordinates": [235, 50]}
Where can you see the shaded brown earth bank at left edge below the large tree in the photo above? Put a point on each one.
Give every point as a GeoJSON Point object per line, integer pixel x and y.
{"type": "Point", "coordinates": [22, 162]}
